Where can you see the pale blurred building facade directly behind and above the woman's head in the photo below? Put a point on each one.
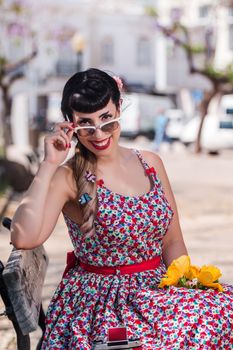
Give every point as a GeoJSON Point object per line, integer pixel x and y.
{"type": "Point", "coordinates": [118, 38]}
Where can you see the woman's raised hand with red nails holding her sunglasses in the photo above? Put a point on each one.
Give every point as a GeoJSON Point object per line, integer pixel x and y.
{"type": "Point", "coordinates": [57, 144]}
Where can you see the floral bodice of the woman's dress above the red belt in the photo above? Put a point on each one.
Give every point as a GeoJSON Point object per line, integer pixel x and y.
{"type": "Point", "coordinates": [127, 229]}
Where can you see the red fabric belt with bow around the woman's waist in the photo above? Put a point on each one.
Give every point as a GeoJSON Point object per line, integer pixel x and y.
{"type": "Point", "coordinates": [113, 270]}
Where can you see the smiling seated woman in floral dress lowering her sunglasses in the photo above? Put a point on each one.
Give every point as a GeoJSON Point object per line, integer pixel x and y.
{"type": "Point", "coordinates": [123, 223]}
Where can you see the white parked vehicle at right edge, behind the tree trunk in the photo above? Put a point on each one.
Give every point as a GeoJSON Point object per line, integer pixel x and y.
{"type": "Point", "coordinates": [217, 131]}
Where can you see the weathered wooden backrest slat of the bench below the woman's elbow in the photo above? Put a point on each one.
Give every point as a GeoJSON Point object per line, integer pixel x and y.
{"type": "Point", "coordinates": [24, 276]}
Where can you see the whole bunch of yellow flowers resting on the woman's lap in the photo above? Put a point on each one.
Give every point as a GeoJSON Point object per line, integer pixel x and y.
{"type": "Point", "coordinates": [181, 273]}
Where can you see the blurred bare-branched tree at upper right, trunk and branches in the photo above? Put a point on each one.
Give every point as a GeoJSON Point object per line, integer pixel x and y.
{"type": "Point", "coordinates": [221, 79]}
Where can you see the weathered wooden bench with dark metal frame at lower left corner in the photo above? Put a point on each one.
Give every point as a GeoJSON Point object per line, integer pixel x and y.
{"type": "Point", "coordinates": [21, 283]}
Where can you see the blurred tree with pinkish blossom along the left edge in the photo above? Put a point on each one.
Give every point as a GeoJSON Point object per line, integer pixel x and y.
{"type": "Point", "coordinates": [11, 20]}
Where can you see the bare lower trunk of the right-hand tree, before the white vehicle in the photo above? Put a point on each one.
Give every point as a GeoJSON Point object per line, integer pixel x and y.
{"type": "Point", "coordinates": [208, 95]}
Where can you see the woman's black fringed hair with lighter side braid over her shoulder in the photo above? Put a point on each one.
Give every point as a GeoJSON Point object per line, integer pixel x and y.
{"type": "Point", "coordinates": [87, 92]}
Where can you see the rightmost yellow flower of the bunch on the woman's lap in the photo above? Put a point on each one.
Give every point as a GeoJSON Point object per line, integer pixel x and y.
{"type": "Point", "coordinates": [209, 276]}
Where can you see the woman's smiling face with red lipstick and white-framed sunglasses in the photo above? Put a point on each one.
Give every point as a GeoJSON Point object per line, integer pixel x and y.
{"type": "Point", "coordinates": [100, 141]}
